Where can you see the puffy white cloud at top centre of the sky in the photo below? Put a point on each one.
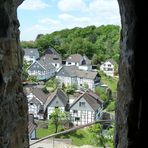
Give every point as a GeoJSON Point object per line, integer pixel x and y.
{"type": "Point", "coordinates": [70, 5]}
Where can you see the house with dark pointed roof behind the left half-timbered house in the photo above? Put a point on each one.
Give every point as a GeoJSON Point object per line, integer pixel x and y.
{"type": "Point", "coordinates": [53, 57]}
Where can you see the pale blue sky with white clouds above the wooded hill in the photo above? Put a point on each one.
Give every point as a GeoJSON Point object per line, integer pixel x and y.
{"type": "Point", "coordinates": [46, 16]}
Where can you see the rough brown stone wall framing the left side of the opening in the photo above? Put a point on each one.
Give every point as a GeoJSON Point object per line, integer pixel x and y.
{"type": "Point", "coordinates": [13, 105]}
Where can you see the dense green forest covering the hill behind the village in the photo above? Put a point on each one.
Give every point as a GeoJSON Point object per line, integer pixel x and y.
{"type": "Point", "coordinates": [98, 43]}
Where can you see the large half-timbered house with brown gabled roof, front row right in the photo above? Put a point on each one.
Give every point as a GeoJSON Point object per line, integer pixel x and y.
{"type": "Point", "coordinates": [87, 108]}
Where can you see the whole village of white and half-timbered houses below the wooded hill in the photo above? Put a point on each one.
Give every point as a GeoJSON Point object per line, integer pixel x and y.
{"type": "Point", "coordinates": [76, 74]}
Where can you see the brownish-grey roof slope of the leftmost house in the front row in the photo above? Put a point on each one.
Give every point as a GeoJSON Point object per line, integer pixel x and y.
{"type": "Point", "coordinates": [40, 94]}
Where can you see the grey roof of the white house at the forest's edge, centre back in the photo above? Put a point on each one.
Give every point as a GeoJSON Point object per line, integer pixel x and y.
{"type": "Point", "coordinates": [77, 58]}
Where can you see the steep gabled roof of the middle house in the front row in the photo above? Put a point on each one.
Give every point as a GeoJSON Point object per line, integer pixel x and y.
{"type": "Point", "coordinates": [57, 93]}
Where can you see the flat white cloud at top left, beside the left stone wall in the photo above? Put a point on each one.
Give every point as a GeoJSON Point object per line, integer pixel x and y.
{"type": "Point", "coordinates": [33, 5]}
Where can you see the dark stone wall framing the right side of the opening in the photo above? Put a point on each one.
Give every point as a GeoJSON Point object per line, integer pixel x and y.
{"type": "Point", "coordinates": [131, 124]}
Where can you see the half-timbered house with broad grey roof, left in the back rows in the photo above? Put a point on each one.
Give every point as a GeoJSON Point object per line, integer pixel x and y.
{"type": "Point", "coordinates": [42, 69]}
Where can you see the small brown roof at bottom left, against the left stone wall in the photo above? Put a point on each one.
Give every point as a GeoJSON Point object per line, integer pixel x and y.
{"type": "Point", "coordinates": [31, 124]}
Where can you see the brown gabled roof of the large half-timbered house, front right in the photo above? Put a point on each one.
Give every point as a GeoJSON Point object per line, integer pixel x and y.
{"type": "Point", "coordinates": [92, 101]}
